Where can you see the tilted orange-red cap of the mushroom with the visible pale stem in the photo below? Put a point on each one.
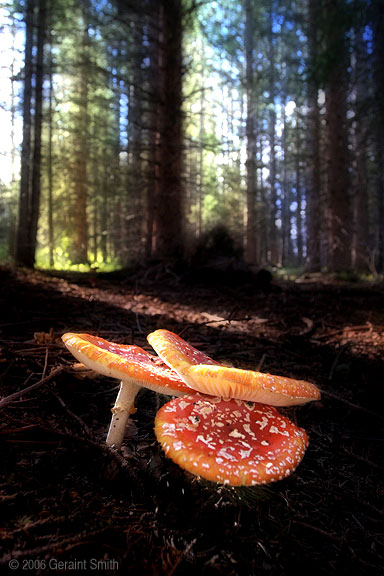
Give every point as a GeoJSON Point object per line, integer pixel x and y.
{"type": "Point", "coordinates": [127, 363]}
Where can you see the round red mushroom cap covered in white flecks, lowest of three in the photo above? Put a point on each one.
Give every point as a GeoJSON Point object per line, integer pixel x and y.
{"type": "Point", "coordinates": [229, 441]}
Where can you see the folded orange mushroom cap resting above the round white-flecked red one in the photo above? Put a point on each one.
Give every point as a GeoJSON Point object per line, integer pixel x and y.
{"type": "Point", "coordinates": [205, 375]}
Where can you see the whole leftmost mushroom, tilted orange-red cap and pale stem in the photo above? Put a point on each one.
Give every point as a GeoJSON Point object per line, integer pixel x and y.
{"type": "Point", "coordinates": [133, 366]}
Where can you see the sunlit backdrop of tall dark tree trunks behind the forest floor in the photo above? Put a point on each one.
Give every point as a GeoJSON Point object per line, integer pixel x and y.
{"type": "Point", "coordinates": [178, 130]}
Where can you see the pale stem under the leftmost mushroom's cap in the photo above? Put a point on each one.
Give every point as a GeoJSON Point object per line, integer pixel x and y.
{"type": "Point", "coordinates": [120, 412]}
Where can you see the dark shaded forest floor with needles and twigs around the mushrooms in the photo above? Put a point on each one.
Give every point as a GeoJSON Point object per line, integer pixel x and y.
{"type": "Point", "coordinates": [67, 503]}
